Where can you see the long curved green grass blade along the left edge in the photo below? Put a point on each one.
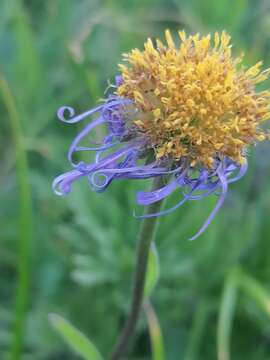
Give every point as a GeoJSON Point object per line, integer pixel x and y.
{"type": "Point", "coordinates": [25, 227]}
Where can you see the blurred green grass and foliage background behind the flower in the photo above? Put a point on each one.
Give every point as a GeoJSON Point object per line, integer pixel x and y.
{"type": "Point", "coordinates": [74, 256]}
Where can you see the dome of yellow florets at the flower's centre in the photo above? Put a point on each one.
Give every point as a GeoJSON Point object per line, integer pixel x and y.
{"type": "Point", "coordinates": [195, 100]}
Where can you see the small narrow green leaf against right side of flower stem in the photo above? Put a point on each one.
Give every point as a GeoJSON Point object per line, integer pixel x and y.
{"type": "Point", "coordinates": [152, 274]}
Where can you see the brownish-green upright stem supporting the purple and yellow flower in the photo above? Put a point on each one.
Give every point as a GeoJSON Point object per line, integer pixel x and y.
{"type": "Point", "coordinates": [145, 237]}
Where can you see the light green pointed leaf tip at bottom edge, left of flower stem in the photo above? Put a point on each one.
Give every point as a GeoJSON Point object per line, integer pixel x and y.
{"type": "Point", "coordinates": [74, 338]}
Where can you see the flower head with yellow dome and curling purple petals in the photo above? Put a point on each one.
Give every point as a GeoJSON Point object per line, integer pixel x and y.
{"type": "Point", "coordinates": [187, 112]}
